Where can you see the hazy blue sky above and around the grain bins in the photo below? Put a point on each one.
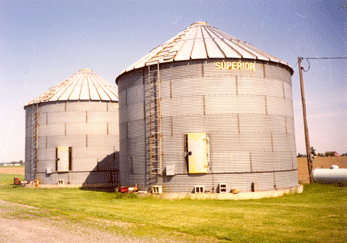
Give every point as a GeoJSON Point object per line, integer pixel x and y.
{"type": "Point", "coordinates": [42, 43]}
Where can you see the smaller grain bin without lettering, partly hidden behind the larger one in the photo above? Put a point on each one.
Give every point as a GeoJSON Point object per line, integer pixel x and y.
{"type": "Point", "coordinates": [72, 133]}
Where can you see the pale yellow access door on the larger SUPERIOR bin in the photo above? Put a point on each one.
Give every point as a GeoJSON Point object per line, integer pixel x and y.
{"type": "Point", "coordinates": [198, 153]}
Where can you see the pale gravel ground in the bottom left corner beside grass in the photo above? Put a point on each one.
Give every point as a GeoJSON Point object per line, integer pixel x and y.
{"type": "Point", "coordinates": [18, 225]}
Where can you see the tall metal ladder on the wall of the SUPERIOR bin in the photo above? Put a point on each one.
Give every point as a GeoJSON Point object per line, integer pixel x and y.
{"type": "Point", "coordinates": [153, 125]}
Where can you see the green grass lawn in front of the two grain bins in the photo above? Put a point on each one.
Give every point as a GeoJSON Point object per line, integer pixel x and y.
{"type": "Point", "coordinates": [316, 215]}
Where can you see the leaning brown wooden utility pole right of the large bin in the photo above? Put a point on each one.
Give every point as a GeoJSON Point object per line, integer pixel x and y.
{"type": "Point", "coordinates": [307, 141]}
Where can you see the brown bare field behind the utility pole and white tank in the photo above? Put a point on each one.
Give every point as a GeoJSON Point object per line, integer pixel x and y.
{"type": "Point", "coordinates": [319, 162]}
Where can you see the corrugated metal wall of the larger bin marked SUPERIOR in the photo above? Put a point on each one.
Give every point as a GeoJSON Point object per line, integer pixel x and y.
{"type": "Point", "coordinates": [248, 116]}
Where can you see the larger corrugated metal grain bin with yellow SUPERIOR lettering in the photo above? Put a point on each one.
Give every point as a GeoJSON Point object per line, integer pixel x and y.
{"type": "Point", "coordinates": [207, 112]}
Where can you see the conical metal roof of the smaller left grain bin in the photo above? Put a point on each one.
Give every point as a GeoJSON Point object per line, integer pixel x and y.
{"type": "Point", "coordinates": [84, 85]}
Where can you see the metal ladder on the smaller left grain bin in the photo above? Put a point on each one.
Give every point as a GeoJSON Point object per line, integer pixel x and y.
{"type": "Point", "coordinates": [34, 138]}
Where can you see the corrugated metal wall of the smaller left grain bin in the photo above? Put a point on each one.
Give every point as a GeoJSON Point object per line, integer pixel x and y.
{"type": "Point", "coordinates": [90, 128]}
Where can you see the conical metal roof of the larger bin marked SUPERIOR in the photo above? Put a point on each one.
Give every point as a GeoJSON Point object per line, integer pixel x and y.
{"type": "Point", "coordinates": [202, 41]}
